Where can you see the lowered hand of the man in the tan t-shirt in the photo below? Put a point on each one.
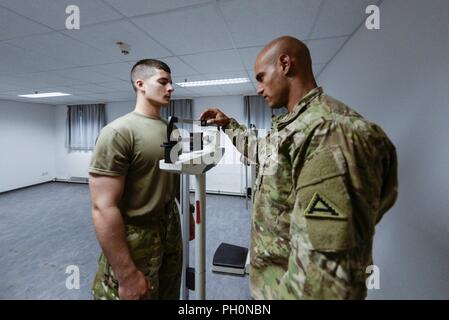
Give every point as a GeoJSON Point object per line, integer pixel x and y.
{"type": "Point", "coordinates": [134, 287]}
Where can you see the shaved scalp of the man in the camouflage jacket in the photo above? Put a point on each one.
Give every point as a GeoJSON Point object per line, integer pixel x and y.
{"type": "Point", "coordinates": [291, 47]}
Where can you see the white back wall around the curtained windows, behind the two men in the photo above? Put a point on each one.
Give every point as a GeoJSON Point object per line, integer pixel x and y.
{"type": "Point", "coordinates": [225, 178]}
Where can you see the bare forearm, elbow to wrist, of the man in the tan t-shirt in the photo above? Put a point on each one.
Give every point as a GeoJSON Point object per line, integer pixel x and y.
{"type": "Point", "coordinates": [110, 231]}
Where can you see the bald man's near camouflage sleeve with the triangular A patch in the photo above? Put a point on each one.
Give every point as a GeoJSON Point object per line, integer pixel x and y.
{"type": "Point", "coordinates": [344, 180]}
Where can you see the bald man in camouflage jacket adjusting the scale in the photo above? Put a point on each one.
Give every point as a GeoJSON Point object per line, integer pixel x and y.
{"type": "Point", "coordinates": [326, 176]}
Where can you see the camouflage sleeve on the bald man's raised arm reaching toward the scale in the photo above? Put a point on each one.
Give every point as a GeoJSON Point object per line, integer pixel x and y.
{"type": "Point", "coordinates": [244, 140]}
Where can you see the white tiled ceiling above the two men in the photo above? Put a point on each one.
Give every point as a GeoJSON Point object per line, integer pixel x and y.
{"type": "Point", "coordinates": [199, 39]}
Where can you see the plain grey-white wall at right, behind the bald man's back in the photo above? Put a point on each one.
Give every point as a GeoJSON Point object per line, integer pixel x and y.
{"type": "Point", "coordinates": [398, 77]}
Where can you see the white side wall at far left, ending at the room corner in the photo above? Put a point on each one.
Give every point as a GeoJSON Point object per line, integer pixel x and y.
{"type": "Point", "coordinates": [26, 144]}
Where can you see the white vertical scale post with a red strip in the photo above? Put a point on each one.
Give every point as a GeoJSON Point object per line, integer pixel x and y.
{"type": "Point", "coordinates": [200, 236]}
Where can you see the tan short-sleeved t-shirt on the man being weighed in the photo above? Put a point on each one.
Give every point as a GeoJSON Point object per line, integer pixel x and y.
{"type": "Point", "coordinates": [131, 146]}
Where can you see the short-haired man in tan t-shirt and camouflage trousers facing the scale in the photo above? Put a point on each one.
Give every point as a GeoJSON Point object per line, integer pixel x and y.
{"type": "Point", "coordinates": [135, 216]}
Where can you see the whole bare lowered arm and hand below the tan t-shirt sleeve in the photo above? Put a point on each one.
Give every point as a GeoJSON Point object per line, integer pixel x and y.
{"type": "Point", "coordinates": [106, 192]}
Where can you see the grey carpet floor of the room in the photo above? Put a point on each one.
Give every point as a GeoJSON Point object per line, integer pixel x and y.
{"type": "Point", "coordinates": [46, 228]}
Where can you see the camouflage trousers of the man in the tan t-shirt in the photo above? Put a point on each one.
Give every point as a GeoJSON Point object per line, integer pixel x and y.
{"type": "Point", "coordinates": [156, 249]}
